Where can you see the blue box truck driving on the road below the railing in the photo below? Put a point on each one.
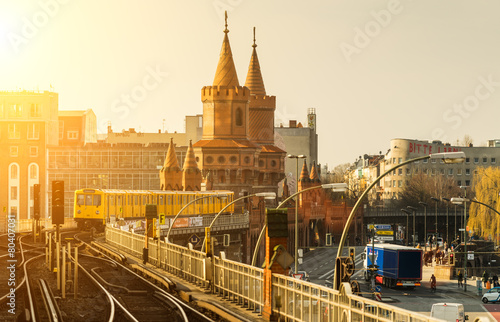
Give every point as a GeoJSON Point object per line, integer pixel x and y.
{"type": "Point", "coordinates": [397, 265]}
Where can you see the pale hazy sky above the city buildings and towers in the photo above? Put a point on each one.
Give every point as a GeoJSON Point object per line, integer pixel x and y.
{"type": "Point", "coordinates": [374, 70]}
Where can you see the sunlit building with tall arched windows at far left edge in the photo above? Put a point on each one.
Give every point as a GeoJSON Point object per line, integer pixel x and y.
{"type": "Point", "coordinates": [28, 125]}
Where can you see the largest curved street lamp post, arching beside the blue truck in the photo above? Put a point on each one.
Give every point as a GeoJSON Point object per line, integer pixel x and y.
{"type": "Point", "coordinates": [447, 157]}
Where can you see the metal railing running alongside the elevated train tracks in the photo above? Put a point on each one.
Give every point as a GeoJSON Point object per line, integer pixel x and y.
{"type": "Point", "coordinates": [293, 299]}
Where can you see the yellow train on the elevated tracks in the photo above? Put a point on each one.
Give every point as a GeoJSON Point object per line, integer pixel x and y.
{"type": "Point", "coordinates": [96, 207]}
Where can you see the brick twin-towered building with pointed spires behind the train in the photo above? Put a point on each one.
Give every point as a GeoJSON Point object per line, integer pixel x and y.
{"type": "Point", "coordinates": [237, 150]}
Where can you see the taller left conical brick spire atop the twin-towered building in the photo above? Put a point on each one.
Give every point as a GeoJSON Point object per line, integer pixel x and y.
{"type": "Point", "coordinates": [226, 72]}
